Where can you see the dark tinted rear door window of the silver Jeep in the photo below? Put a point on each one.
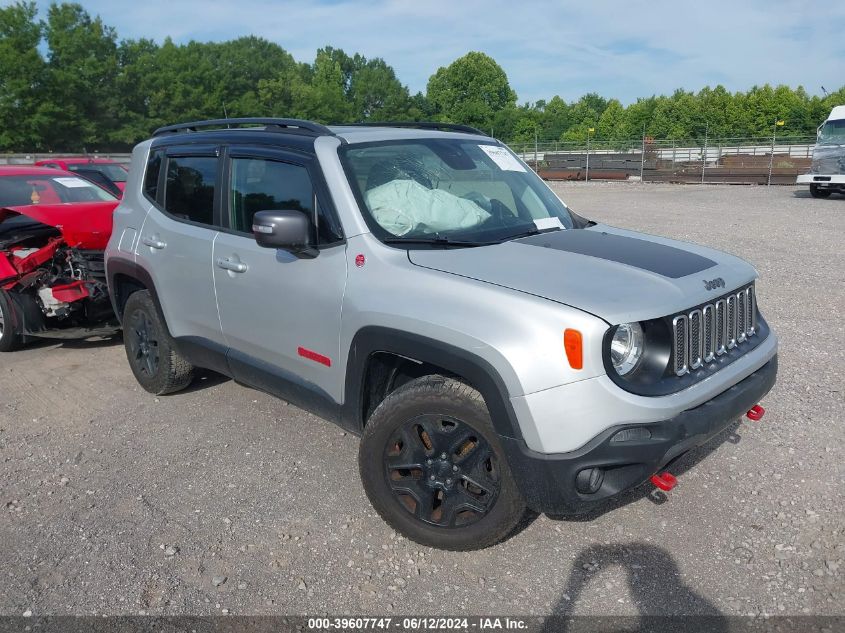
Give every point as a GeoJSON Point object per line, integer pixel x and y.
{"type": "Point", "coordinates": [189, 191]}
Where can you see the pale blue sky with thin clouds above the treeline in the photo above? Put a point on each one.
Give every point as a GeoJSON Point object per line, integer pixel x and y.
{"type": "Point", "coordinates": [622, 49]}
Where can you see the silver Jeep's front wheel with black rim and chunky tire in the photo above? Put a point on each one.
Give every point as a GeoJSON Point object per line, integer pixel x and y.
{"type": "Point", "coordinates": [433, 468]}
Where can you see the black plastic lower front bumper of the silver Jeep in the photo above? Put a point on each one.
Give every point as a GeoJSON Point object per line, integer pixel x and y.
{"type": "Point", "coordinates": [548, 481]}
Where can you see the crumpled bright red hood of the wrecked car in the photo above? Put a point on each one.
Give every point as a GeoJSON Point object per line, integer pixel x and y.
{"type": "Point", "coordinates": [84, 225]}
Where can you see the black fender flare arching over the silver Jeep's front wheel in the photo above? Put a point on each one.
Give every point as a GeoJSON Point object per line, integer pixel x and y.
{"type": "Point", "coordinates": [476, 370]}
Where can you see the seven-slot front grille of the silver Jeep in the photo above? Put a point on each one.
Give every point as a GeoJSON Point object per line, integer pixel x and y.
{"type": "Point", "coordinates": [705, 333]}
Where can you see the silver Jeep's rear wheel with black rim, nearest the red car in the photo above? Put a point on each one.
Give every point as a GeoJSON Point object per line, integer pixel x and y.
{"type": "Point", "coordinates": [143, 327]}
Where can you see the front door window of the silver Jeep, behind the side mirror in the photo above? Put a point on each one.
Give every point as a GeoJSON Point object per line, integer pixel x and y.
{"type": "Point", "coordinates": [259, 184]}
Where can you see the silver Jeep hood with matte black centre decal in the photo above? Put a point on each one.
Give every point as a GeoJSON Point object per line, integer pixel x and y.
{"type": "Point", "coordinates": [615, 274]}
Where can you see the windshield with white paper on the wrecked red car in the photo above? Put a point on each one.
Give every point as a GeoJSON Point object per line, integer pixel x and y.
{"type": "Point", "coordinates": [18, 191]}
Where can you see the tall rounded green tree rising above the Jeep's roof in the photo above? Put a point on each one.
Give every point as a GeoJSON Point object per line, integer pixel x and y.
{"type": "Point", "coordinates": [470, 90]}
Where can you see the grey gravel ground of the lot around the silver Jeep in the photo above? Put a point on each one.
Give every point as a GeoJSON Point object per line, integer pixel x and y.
{"type": "Point", "coordinates": [223, 499]}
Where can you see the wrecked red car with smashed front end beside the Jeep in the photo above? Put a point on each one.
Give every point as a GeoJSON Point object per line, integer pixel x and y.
{"type": "Point", "coordinates": [54, 226]}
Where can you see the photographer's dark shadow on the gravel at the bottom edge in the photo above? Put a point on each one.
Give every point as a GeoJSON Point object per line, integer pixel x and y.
{"type": "Point", "coordinates": [655, 588]}
